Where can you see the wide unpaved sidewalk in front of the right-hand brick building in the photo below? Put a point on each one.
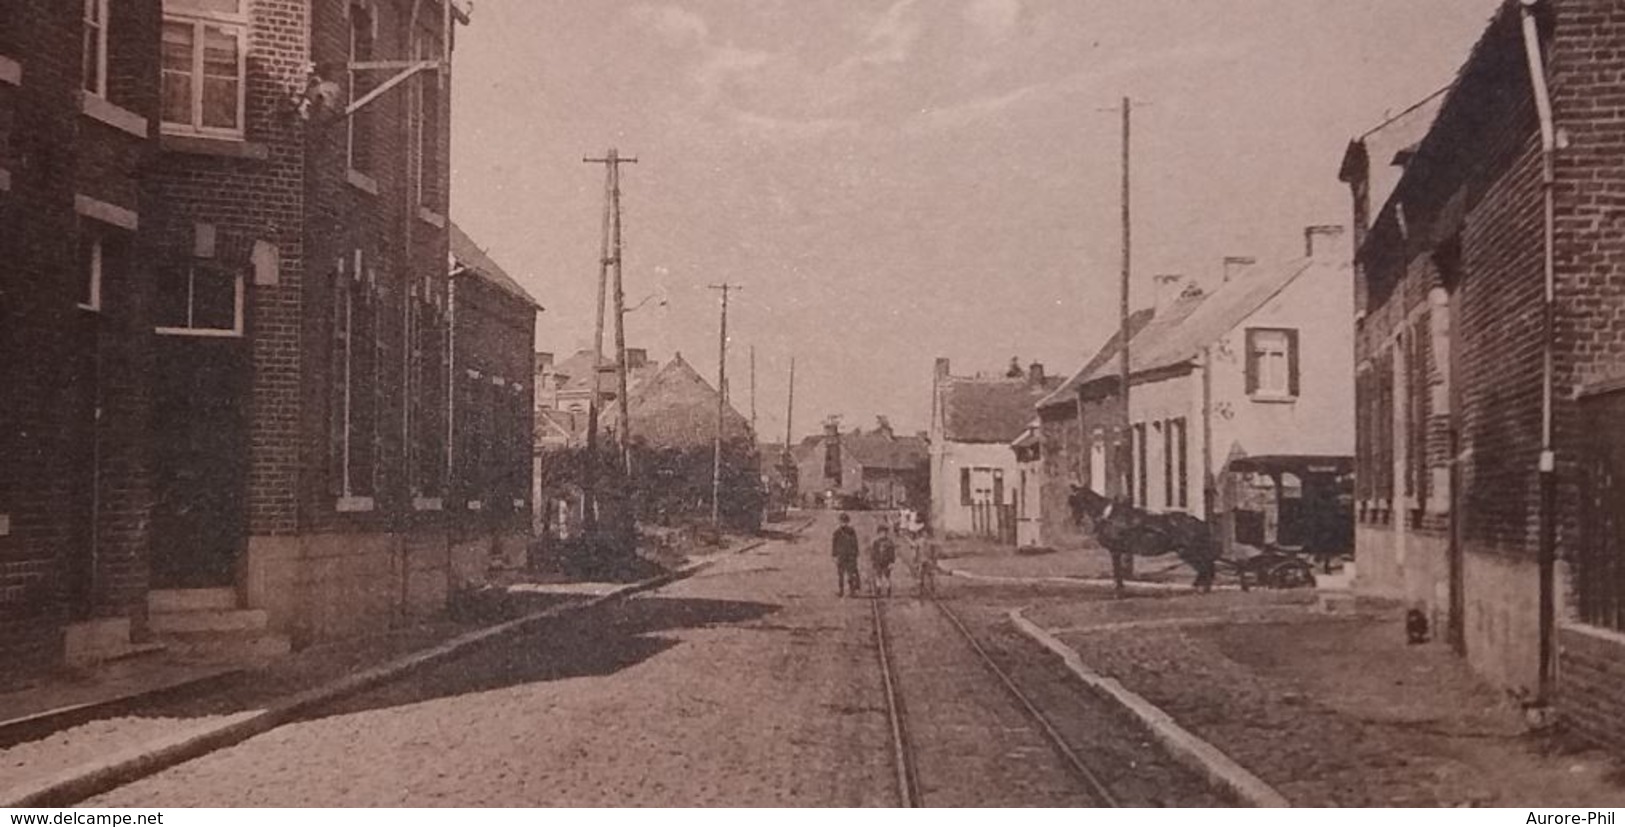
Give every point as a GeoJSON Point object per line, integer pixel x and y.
{"type": "Point", "coordinates": [1330, 709]}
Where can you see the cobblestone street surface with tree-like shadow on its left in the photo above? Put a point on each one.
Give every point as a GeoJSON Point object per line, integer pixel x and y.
{"type": "Point", "coordinates": [748, 685]}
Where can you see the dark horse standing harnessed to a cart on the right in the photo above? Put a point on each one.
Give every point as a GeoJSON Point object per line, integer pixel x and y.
{"type": "Point", "coordinates": [1129, 532]}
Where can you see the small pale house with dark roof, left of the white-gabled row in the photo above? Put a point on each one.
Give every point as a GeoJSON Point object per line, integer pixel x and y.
{"type": "Point", "coordinates": [974, 474]}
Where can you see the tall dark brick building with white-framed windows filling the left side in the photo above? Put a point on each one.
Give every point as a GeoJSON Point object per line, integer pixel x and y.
{"type": "Point", "coordinates": [238, 402]}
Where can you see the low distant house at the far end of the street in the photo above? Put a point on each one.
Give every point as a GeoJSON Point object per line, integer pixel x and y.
{"type": "Point", "coordinates": [875, 469]}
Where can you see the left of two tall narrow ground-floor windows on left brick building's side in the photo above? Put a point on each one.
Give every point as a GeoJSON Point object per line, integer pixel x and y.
{"type": "Point", "coordinates": [355, 384]}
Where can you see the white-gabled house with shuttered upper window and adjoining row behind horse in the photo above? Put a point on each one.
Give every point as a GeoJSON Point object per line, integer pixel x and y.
{"type": "Point", "coordinates": [1241, 409]}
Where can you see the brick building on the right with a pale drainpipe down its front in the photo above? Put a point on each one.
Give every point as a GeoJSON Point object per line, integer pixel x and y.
{"type": "Point", "coordinates": [1470, 503]}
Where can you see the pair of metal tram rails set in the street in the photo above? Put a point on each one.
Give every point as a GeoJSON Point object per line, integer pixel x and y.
{"type": "Point", "coordinates": [909, 790]}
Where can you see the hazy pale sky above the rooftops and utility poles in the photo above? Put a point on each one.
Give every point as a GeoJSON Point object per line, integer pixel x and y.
{"type": "Point", "coordinates": [898, 181]}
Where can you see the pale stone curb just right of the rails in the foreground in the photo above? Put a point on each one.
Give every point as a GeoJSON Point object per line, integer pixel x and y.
{"type": "Point", "coordinates": [1187, 748]}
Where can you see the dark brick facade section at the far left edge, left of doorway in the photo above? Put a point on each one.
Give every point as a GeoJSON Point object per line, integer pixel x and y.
{"type": "Point", "coordinates": [79, 124]}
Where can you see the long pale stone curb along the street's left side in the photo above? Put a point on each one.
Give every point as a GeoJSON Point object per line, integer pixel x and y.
{"type": "Point", "coordinates": [154, 758]}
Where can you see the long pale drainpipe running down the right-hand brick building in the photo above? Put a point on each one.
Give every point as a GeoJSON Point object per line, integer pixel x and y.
{"type": "Point", "coordinates": [1548, 561]}
